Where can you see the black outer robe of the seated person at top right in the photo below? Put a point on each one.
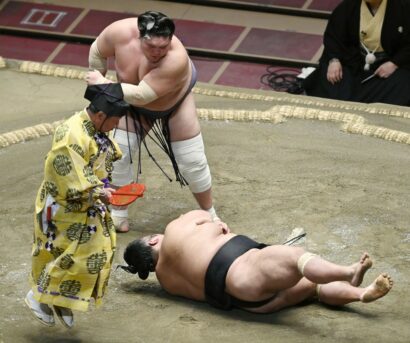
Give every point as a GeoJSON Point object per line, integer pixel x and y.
{"type": "Point", "coordinates": [341, 40]}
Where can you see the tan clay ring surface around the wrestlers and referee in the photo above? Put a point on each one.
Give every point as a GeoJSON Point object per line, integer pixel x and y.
{"type": "Point", "coordinates": [349, 192]}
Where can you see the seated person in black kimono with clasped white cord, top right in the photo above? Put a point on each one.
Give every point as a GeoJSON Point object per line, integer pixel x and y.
{"type": "Point", "coordinates": [366, 55]}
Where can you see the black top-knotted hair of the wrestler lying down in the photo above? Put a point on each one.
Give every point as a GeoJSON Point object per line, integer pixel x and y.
{"type": "Point", "coordinates": [138, 256]}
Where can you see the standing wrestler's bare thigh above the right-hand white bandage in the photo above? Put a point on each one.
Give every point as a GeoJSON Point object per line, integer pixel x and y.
{"type": "Point", "coordinates": [184, 123]}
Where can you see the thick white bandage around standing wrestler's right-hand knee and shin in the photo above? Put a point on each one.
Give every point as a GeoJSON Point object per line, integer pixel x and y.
{"type": "Point", "coordinates": [192, 163]}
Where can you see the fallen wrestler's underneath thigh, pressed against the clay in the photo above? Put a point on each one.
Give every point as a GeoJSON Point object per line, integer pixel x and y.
{"type": "Point", "coordinates": [303, 290]}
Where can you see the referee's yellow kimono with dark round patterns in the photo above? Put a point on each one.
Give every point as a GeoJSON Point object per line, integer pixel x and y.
{"type": "Point", "coordinates": [74, 237]}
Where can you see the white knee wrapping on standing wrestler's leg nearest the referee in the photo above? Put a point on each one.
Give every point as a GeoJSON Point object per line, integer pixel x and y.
{"type": "Point", "coordinates": [123, 172]}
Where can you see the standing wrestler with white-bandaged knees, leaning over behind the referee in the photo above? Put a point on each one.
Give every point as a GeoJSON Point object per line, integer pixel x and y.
{"type": "Point", "coordinates": [157, 77]}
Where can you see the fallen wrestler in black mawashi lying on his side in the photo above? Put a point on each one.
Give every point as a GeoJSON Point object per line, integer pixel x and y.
{"type": "Point", "coordinates": [200, 259]}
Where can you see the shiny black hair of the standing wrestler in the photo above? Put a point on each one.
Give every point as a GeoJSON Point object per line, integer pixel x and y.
{"type": "Point", "coordinates": [155, 24]}
